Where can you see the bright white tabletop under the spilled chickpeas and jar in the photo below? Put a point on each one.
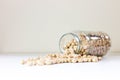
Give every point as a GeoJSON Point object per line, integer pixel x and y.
{"type": "Point", "coordinates": [11, 69]}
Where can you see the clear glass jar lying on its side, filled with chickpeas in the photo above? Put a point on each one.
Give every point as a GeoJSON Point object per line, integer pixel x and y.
{"type": "Point", "coordinates": [84, 42]}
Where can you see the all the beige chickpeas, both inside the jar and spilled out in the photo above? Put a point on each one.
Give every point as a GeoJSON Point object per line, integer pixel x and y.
{"type": "Point", "coordinates": [91, 50]}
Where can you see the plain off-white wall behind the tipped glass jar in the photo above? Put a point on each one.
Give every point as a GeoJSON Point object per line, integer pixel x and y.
{"type": "Point", "coordinates": [36, 25]}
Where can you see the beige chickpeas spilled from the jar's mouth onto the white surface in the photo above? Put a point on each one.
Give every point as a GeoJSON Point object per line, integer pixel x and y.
{"type": "Point", "coordinates": [69, 56]}
